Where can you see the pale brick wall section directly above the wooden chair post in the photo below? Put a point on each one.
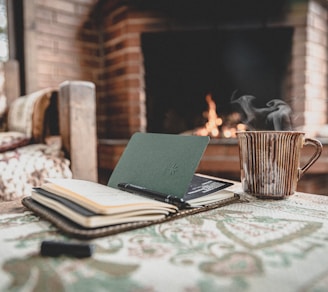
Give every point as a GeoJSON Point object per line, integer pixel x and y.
{"type": "Point", "coordinates": [61, 43]}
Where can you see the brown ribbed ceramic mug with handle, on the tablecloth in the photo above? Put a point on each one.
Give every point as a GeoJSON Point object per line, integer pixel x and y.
{"type": "Point", "coordinates": [270, 161]}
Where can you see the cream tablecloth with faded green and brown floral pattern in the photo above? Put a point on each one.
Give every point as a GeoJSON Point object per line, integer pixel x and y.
{"type": "Point", "coordinates": [254, 245]}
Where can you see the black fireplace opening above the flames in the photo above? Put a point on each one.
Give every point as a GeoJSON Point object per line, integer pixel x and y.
{"type": "Point", "coordinates": [183, 67]}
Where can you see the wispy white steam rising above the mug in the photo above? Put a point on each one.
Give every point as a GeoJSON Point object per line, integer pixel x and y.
{"type": "Point", "coordinates": [277, 115]}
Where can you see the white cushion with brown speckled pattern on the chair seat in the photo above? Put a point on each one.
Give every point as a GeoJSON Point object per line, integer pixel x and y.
{"type": "Point", "coordinates": [27, 167]}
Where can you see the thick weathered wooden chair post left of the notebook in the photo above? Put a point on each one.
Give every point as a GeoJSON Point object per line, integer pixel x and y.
{"type": "Point", "coordinates": [77, 121]}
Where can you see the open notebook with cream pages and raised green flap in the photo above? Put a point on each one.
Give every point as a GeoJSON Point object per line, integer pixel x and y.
{"type": "Point", "coordinates": [162, 163]}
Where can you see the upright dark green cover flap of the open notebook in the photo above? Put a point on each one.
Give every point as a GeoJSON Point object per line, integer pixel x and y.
{"type": "Point", "coordinates": [164, 163]}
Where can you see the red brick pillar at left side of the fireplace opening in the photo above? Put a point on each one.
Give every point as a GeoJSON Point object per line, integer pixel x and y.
{"type": "Point", "coordinates": [125, 97]}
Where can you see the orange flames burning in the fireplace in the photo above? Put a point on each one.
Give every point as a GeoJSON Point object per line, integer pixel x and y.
{"type": "Point", "coordinates": [216, 126]}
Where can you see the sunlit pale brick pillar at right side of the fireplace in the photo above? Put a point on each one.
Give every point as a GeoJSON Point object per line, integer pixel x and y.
{"type": "Point", "coordinates": [308, 95]}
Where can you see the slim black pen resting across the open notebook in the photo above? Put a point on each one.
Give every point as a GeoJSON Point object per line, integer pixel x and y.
{"type": "Point", "coordinates": [179, 202]}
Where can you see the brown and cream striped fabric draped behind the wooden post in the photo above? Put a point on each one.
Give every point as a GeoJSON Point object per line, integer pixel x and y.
{"type": "Point", "coordinates": [27, 114]}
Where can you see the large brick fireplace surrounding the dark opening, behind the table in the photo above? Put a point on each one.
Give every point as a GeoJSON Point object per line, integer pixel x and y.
{"type": "Point", "coordinates": [138, 37]}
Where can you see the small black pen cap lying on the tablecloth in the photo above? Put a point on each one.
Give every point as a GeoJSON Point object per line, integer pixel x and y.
{"type": "Point", "coordinates": [57, 248]}
